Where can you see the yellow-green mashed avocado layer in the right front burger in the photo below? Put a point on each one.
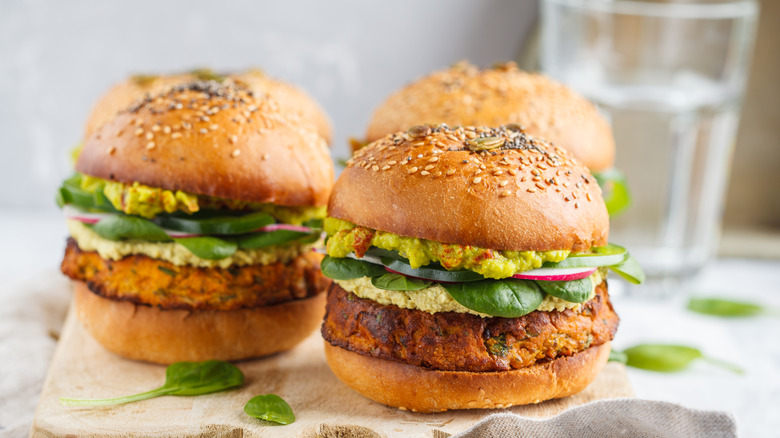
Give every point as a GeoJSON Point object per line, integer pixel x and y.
{"type": "Point", "coordinates": [345, 237]}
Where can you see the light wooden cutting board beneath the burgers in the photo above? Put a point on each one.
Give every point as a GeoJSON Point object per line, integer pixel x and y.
{"type": "Point", "coordinates": [323, 406]}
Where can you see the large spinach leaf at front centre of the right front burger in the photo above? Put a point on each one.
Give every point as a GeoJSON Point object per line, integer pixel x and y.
{"type": "Point", "coordinates": [509, 298]}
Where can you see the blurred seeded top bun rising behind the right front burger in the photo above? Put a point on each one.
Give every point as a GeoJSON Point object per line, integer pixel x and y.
{"type": "Point", "coordinates": [465, 95]}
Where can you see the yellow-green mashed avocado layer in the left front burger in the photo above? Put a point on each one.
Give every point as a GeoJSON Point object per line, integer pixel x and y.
{"type": "Point", "coordinates": [142, 200]}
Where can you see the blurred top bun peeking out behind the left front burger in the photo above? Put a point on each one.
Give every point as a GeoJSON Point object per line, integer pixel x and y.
{"type": "Point", "coordinates": [293, 101]}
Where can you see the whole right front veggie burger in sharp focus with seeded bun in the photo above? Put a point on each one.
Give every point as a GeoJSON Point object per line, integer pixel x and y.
{"type": "Point", "coordinates": [469, 269]}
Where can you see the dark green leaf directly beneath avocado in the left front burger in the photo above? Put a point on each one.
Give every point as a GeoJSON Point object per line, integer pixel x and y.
{"type": "Point", "coordinates": [223, 224]}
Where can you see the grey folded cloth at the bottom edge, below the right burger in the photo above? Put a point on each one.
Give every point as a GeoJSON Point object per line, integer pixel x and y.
{"type": "Point", "coordinates": [611, 418]}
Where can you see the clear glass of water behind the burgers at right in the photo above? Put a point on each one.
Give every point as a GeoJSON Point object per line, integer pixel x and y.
{"type": "Point", "coordinates": [670, 76]}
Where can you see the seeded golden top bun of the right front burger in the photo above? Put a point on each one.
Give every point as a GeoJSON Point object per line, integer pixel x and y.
{"type": "Point", "coordinates": [416, 184]}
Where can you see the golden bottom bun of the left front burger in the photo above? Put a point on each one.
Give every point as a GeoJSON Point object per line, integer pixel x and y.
{"type": "Point", "coordinates": [165, 336]}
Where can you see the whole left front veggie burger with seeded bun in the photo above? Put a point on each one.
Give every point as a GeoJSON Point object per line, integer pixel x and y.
{"type": "Point", "coordinates": [193, 215]}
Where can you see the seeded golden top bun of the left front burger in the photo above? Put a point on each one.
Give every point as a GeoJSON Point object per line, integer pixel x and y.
{"type": "Point", "coordinates": [215, 139]}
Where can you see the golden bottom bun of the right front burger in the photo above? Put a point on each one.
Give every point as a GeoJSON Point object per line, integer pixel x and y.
{"type": "Point", "coordinates": [419, 389]}
